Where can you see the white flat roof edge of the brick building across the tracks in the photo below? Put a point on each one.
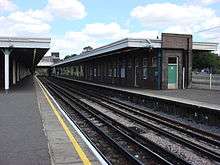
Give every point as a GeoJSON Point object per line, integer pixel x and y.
{"type": "Point", "coordinates": [134, 43]}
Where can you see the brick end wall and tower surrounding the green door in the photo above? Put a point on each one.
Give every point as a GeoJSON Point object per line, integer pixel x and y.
{"type": "Point", "coordinates": [177, 45]}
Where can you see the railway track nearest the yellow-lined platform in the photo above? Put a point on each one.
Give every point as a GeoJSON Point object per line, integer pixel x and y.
{"type": "Point", "coordinates": [132, 147]}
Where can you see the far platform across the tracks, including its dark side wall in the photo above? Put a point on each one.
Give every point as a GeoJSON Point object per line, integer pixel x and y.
{"type": "Point", "coordinates": [199, 106]}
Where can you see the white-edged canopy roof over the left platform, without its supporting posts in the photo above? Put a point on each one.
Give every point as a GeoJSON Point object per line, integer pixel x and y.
{"type": "Point", "coordinates": [27, 50]}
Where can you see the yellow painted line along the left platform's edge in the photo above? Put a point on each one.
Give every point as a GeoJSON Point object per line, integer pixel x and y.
{"type": "Point", "coordinates": [74, 142]}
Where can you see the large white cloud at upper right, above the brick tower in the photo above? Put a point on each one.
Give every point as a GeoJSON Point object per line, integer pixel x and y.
{"type": "Point", "coordinates": [164, 15]}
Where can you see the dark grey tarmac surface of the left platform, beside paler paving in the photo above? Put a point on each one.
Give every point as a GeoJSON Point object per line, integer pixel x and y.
{"type": "Point", "coordinates": [22, 139]}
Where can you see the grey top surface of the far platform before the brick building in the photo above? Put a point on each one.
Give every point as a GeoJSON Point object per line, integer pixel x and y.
{"type": "Point", "coordinates": [198, 97]}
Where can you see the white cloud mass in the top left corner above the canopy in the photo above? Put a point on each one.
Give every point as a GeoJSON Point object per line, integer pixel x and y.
{"type": "Point", "coordinates": [37, 22]}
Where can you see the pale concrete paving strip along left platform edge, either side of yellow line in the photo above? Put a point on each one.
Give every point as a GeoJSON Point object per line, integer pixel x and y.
{"type": "Point", "coordinates": [61, 150]}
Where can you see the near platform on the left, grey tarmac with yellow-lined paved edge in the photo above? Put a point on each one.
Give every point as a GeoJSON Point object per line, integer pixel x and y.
{"type": "Point", "coordinates": [34, 131]}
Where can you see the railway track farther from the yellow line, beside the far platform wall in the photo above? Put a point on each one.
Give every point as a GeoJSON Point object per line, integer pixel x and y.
{"type": "Point", "coordinates": [134, 112]}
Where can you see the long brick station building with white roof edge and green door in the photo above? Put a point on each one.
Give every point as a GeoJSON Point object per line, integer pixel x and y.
{"type": "Point", "coordinates": [164, 63]}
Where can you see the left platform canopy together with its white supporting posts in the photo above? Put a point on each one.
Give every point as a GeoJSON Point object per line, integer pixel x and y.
{"type": "Point", "coordinates": [20, 56]}
